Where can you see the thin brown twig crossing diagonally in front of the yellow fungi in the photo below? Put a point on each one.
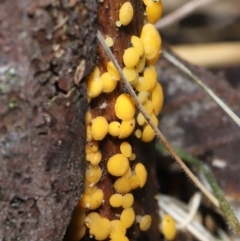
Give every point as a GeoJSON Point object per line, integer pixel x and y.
{"type": "Point", "coordinates": [155, 128]}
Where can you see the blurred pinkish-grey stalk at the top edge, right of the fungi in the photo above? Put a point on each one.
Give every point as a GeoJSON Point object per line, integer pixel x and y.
{"type": "Point", "coordinates": [181, 12]}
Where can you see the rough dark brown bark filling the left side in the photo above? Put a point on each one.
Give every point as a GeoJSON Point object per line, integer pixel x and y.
{"type": "Point", "coordinates": [44, 46]}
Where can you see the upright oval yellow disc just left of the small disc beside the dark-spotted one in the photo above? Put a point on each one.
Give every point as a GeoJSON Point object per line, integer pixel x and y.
{"type": "Point", "coordinates": [99, 128]}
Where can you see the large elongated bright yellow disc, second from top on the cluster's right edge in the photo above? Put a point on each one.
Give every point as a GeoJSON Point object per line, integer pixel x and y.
{"type": "Point", "coordinates": [151, 42]}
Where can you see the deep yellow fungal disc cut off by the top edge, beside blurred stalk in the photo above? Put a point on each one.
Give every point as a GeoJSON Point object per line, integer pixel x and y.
{"type": "Point", "coordinates": [154, 11]}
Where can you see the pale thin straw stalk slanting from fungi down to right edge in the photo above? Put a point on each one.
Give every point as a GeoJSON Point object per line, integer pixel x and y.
{"type": "Point", "coordinates": [180, 66]}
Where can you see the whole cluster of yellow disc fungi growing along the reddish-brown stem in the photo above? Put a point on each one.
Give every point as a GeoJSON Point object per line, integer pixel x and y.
{"type": "Point", "coordinates": [139, 70]}
